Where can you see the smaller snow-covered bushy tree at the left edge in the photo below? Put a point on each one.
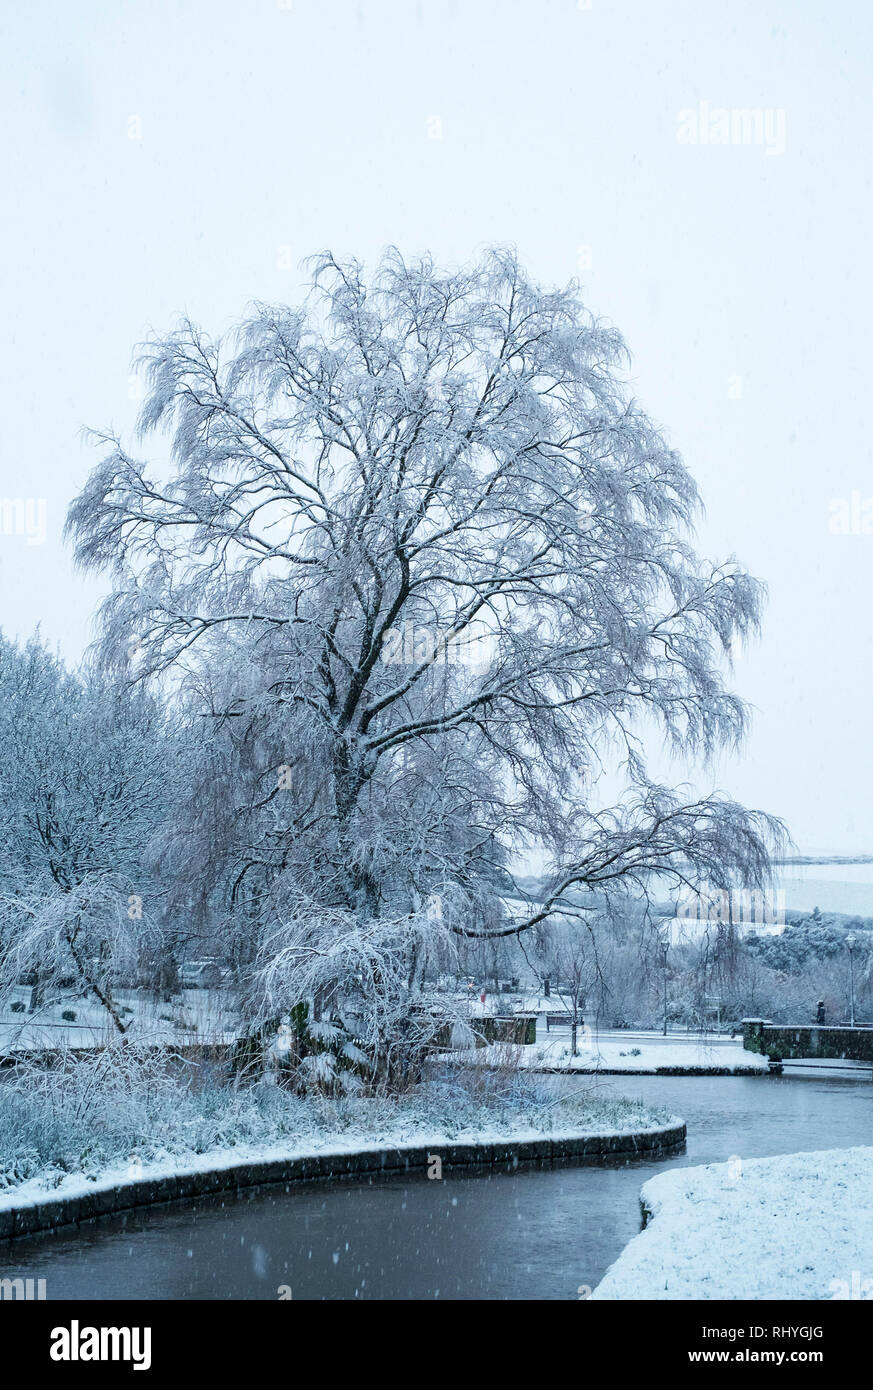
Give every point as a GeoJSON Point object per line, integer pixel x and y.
{"type": "Point", "coordinates": [84, 785]}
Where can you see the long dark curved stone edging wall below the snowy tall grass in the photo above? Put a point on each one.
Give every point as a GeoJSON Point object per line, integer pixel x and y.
{"type": "Point", "coordinates": [113, 1199]}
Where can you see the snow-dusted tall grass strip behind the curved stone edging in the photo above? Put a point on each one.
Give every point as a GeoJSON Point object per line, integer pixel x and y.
{"type": "Point", "coordinates": [109, 1114]}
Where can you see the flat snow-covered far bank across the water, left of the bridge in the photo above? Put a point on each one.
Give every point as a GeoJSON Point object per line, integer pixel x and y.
{"type": "Point", "coordinates": [639, 1054]}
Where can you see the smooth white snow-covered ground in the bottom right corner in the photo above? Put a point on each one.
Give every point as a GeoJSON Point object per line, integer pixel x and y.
{"type": "Point", "coordinates": [796, 1227]}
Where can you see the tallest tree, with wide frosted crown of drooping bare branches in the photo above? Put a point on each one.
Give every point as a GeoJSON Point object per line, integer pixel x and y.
{"type": "Point", "coordinates": [425, 569]}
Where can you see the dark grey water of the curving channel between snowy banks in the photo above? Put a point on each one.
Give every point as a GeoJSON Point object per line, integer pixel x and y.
{"type": "Point", "coordinates": [536, 1234]}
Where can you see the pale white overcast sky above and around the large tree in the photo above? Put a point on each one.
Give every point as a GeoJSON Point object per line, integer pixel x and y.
{"type": "Point", "coordinates": [169, 156]}
